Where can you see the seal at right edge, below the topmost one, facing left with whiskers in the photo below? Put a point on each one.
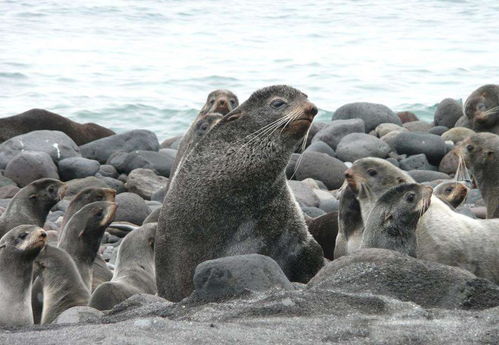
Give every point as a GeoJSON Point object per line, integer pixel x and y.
{"type": "Point", "coordinates": [481, 154]}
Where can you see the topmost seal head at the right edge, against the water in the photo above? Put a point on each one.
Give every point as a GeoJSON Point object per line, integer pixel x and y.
{"type": "Point", "coordinates": [482, 109]}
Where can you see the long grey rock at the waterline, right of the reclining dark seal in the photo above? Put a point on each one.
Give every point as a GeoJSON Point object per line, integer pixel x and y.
{"type": "Point", "coordinates": [101, 149]}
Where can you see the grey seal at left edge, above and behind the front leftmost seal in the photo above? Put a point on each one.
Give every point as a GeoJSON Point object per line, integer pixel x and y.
{"type": "Point", "coordinates": [32, 204]}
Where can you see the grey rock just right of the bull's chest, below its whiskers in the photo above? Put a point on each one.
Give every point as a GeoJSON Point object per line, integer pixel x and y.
{"type": "Point", "coordinates": [321, 167]}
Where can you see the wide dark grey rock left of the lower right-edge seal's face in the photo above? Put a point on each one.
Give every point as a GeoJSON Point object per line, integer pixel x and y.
{"type": "Point", "coordinates": [414, 143]}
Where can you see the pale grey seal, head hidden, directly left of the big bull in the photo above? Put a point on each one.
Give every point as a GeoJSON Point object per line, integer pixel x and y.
{"type": "Point", "coordinates": [134, 272]}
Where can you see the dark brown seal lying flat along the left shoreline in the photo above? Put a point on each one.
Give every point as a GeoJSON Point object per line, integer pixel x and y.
{"type": "Point", "coordinates": [38, 119]}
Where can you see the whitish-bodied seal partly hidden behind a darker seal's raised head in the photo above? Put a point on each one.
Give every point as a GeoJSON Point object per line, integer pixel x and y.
{"type": "Point", "coordinates": [443, 235]}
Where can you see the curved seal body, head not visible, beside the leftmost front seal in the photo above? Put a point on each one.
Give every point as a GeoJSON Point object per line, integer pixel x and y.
{"type": "Point", "coordinates": [61, 282]}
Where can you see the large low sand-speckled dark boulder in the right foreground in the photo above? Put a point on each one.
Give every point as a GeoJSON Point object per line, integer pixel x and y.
{"type": "Point", "coordinates": [429, 284]}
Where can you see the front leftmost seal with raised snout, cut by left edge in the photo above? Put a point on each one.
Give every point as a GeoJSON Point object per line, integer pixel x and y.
{"type": "Point", "coordinates": [18, 248]}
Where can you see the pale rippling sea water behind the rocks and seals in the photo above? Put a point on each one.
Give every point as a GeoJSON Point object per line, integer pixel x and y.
{"type": "Point", "coordinates": [151, 63]}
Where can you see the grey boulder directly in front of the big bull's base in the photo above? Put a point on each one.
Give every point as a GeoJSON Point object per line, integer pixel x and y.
{"type": "Point", "coordinates": [232, 276]}
